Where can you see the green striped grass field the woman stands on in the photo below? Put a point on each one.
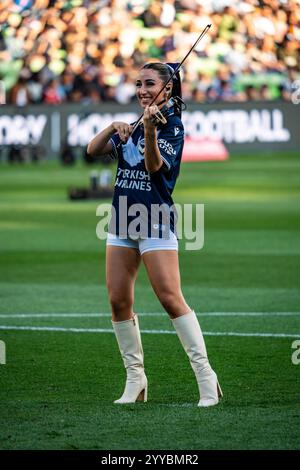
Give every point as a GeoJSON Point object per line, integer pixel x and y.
{"type": "Point", "coordinates": [63, 371]}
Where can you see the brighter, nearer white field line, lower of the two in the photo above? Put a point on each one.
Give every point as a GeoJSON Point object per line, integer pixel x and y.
{"type": "Point", "coordinates": [163, 332]}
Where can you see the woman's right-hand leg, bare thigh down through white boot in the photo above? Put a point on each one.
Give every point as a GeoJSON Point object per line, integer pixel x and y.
{"type": "Point", "coordinates": [163, 271]}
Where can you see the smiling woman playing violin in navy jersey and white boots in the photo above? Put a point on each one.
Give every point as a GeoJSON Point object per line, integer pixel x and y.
{"type": "Point", "coordinates": [148, 165]}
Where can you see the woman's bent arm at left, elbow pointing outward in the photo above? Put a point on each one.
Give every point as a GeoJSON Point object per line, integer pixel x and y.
{"type": "Point", "coordinates": [100, 144]}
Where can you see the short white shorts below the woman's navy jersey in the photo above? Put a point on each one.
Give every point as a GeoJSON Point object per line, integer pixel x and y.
{"type": "Point", "coordinates": [144, 244]}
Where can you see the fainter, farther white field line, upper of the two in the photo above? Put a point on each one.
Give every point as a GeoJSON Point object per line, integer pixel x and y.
{"type": "Point", "coordinates": [150, 314]}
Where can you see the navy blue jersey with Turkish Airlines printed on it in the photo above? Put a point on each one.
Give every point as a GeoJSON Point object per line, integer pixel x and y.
{"type": "Point", "coordinates": [153, 190]}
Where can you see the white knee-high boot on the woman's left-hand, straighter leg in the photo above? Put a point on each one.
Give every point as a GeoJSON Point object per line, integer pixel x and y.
{"type": "Point", "coordinates": [130, 345]}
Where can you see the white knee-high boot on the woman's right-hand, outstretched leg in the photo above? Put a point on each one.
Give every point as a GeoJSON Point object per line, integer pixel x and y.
{"type": "Point", "coordinates": [191, 338]}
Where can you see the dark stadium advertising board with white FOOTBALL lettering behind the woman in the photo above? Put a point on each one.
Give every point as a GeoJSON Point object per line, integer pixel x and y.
{"type": "Point", "coordinates": [252, 126]}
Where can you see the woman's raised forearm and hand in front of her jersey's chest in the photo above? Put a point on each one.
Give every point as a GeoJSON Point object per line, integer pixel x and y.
{"type": "Point", "coordinates": [153, 160]}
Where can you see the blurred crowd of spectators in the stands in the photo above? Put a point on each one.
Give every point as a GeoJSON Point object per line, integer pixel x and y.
{"type": "Point", "coordinates": [89, 51]}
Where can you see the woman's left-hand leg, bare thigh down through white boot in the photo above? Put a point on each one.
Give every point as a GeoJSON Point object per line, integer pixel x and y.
{"type": "Point", "coordinates": [121, 270]}
